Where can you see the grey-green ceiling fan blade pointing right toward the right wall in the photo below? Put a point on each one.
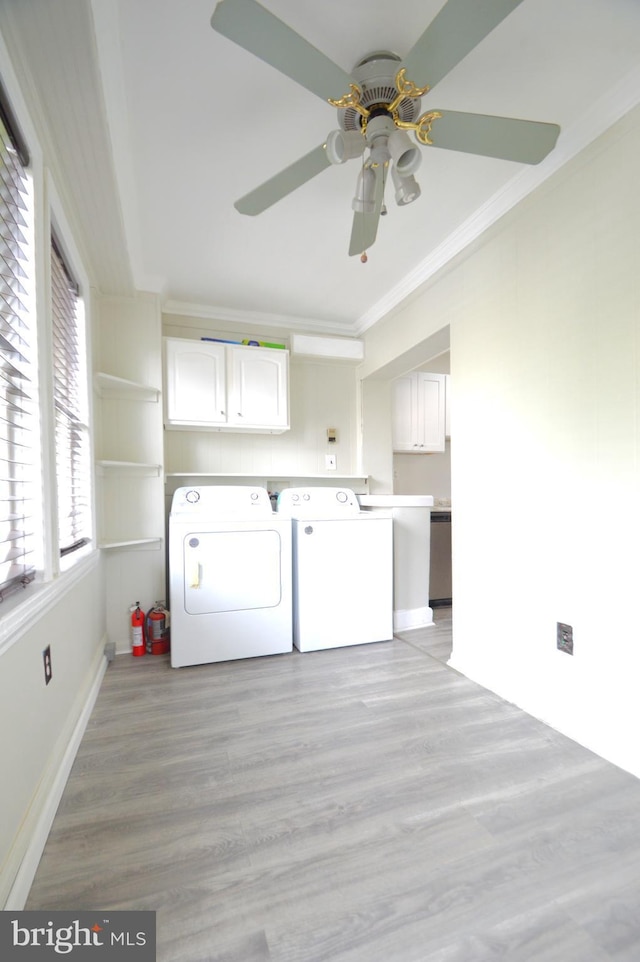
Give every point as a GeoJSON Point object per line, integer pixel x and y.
{"type": "Point", "coordinates": [525, 141]}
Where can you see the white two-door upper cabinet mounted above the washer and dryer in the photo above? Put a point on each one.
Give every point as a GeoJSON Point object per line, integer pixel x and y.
{"type": "Point", "coordinates": [224, 387]}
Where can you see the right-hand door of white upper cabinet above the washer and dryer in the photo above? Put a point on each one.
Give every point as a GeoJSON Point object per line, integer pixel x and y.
{"type": "Point", "coordinates": [258, 387]}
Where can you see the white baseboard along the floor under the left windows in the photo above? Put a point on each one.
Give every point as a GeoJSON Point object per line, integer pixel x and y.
{"type": "Point", "coordinates": [47, 800]}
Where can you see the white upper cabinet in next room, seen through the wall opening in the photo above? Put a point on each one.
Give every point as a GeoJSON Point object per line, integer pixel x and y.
{"type": "Point", "coordinates": [419, 413]}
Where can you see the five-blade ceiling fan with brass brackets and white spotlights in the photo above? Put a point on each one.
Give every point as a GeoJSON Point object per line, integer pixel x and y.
{"type": "Point", "coordinates": [379, 103]}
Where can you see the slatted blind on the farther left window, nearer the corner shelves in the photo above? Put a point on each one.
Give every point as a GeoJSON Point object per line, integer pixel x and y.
{"type": "Point", "coordinates": [71, 410]}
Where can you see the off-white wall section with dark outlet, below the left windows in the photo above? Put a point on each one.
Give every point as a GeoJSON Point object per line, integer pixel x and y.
{"type": "Point", "coordinates": [38, 721]}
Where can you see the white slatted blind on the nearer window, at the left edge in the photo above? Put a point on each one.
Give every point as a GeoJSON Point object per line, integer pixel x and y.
{"type": "Point", "coordinates": [17, 348]}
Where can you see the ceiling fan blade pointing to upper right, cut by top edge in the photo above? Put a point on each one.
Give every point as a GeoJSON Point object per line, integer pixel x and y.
{"type": "Point", "coordinates": [451, 35]}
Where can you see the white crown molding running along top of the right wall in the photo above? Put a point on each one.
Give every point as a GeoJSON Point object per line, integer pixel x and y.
{"type": "Point", "coordinates": [599, 118]}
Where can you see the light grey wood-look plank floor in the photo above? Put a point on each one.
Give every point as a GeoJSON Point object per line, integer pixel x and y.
{"type": "Point", "coordinates": [365, 804]}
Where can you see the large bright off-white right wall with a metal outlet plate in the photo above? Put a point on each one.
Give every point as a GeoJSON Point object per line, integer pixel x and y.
{"type": "Point", "coordinates": [544, 319]}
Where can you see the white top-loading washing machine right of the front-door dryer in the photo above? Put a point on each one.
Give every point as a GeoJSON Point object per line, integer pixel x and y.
{"type": "Point", "coordinates": [342, 569]}
